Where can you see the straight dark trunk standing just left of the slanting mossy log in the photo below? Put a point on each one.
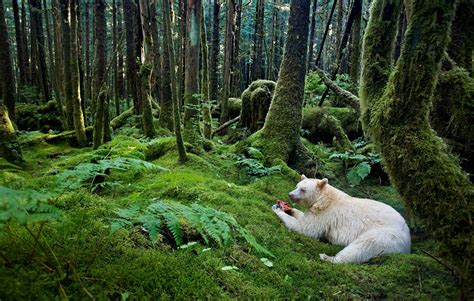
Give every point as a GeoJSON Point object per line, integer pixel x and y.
{"type": "Point", "coordinates": [100, 93]}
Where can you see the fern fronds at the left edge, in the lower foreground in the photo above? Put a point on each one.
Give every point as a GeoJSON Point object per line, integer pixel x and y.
{"type": "Point", "coordinates": [25, 206]}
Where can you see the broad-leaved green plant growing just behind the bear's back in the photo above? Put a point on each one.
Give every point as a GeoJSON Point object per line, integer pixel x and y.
{"type": "Point", "coordinates": [356, 166]}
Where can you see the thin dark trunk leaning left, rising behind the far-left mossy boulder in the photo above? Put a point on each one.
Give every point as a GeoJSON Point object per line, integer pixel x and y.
{"type": "Point", "coordinates": [38, 47]}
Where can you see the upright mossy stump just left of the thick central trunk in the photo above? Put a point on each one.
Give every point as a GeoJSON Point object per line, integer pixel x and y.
{"type": "Point", "coordinates": [256, 101]}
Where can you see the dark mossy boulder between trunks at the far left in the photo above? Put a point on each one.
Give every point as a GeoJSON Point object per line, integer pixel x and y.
{"type": "Point", "coordinates": [32, 117]}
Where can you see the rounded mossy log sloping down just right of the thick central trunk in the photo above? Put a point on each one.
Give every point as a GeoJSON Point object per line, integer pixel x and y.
{"type": "Point", "coordinates": [323, 127]}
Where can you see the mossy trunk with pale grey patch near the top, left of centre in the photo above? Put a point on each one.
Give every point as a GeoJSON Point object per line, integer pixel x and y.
{"type": "Point", "coordinates": [192, 132]}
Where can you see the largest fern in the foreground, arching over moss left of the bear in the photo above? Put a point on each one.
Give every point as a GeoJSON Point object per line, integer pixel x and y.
{"type": "Point", "coordinates": [159, 217]}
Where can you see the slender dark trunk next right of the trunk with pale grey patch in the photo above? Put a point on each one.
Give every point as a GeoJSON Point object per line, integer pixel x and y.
{"type": "Point", "coordinates": [214, 53]}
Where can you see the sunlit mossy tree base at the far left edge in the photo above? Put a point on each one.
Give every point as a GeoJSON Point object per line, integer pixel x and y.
{"type": "Point", "coordinates": [9, 147]}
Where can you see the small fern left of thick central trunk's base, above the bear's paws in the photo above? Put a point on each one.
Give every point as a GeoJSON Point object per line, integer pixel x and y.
{"type": "Point", "coordinates": [253, 167]}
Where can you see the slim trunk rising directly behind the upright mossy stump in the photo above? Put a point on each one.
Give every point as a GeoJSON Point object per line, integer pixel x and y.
{"type": "Point", "coordinates": [257, 58]}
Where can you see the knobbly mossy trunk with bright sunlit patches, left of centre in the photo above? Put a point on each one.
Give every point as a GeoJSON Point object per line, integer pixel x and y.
{"type": "Point", "coordinates": [147, 12]}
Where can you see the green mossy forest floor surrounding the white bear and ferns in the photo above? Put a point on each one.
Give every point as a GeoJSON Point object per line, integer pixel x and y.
{"type": "Point", "coordinates": [78, 256]}
